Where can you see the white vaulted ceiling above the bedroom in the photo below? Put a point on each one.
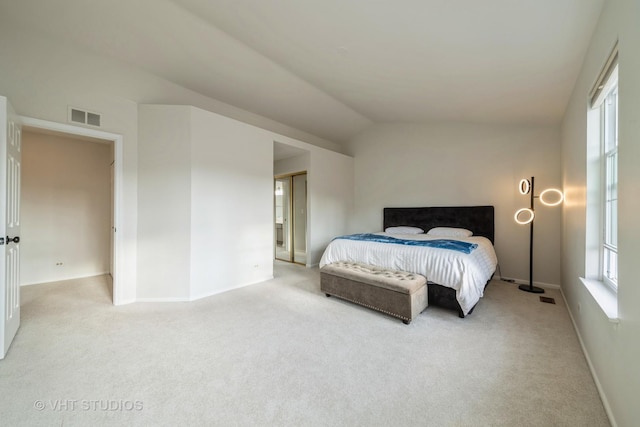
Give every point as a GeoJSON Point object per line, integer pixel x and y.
{"type": "Point", "coordinates": [334, 67]}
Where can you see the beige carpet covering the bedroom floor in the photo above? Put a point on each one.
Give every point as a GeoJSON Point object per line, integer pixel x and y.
{"type": "Point", "coordinates": [281, 353]}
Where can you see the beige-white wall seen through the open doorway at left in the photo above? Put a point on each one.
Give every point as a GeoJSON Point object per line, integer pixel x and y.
{"type": "Point", "coordinates": [66, 206]}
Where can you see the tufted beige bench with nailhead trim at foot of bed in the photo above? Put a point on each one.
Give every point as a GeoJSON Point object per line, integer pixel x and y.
{"type": "Point", "coordinates": [397, 293]}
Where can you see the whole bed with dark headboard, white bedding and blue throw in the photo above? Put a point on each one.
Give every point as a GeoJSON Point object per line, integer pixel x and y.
{"type": "Point", "coordinates": [455, 279]}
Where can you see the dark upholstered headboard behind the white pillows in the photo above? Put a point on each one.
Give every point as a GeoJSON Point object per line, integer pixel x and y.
{"type": "Point", "coordinates": [478, 219]}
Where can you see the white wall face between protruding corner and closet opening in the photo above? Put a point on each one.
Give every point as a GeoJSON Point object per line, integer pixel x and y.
{"type": "Point", "coordinates": [232, 204]}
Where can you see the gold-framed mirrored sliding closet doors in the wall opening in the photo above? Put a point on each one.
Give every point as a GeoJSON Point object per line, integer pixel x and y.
{"type": "Point", "coordinates": [290, 228]}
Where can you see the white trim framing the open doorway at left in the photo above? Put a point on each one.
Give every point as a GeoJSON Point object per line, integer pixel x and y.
{"type": "Point", "coordinates": [119, 218]}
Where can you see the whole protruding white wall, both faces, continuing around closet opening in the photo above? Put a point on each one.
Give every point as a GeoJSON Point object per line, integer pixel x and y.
{"type": "Point", "coordinates": [205, 212]}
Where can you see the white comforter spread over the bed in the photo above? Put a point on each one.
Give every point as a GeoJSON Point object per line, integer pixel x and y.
{"type": "Point", "coordinates": [466, 273]}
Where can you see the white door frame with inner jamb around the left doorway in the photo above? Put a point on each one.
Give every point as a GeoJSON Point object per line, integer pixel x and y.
{"type": "Point", "coordinates": [114, 180]}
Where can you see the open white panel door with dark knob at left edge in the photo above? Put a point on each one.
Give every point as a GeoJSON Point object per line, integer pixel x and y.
{"type": "Point", "coordinates": [10, 150]}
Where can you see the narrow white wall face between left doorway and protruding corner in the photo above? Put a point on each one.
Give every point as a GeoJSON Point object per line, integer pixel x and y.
{"type": "Point", "coordinates": [164, 202]}
